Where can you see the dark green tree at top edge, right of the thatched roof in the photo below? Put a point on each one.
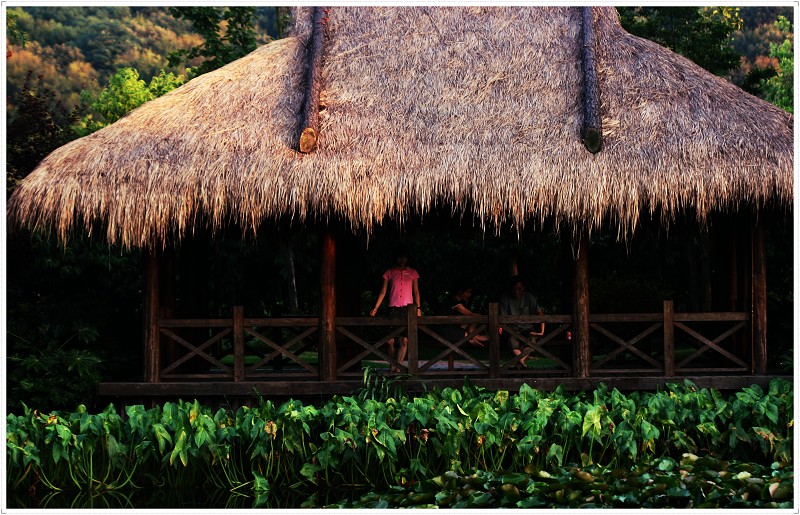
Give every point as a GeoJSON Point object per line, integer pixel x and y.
{"type": "Point", "coordinates": [700, 34]}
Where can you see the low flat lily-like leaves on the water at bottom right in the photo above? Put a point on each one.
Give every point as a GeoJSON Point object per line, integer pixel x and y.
{"type": "Point", "coordinates": [693, 482]}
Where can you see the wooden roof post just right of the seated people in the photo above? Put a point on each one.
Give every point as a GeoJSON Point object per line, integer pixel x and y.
{"type": "Point", "coordinates": [582, 355]}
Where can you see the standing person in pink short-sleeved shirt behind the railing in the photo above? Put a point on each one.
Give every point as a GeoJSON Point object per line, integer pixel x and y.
{"type": "Point", "coordinates": [402, 283]}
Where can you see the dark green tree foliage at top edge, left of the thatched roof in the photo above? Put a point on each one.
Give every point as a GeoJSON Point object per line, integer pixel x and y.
{"type": "Point", "coordinates": [229, 34]}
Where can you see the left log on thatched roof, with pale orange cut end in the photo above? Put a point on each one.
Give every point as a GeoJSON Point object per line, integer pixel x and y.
{"type": "Point", "coordinates": [310, 125]}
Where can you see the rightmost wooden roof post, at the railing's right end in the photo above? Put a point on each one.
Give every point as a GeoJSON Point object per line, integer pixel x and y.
{"type": "Point", "coordinates": [759, 364]}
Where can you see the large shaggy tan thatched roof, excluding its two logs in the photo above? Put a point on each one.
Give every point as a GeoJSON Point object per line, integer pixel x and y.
{"type": "Point", "coordinates": [475, 109]}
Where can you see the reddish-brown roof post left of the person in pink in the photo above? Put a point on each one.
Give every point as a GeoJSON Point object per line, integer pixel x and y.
{"type": "Point", "coordinates": [327, 318]}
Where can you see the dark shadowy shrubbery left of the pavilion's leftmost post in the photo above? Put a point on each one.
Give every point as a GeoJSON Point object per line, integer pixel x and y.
{"type": "Point", "coordinates": [73, 318]}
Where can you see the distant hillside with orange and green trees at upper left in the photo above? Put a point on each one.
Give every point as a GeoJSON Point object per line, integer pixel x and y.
{"type": "Point", "coordinates": [80, 48]}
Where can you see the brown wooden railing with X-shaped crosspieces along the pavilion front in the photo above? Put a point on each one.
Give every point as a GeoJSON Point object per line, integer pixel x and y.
{"type": "Point", "coordinates": [659, 344]}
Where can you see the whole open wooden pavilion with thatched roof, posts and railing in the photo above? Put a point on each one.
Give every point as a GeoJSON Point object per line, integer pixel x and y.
{"type": "Point", "coordinates": [513, 116]}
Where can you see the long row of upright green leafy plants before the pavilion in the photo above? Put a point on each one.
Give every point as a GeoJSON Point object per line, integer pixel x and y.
{"type": "Point", "coordinates": [401, 441]}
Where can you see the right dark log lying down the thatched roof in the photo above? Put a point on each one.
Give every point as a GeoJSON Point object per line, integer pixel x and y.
{"type": "Point", "coordinates": [592, 135]}
